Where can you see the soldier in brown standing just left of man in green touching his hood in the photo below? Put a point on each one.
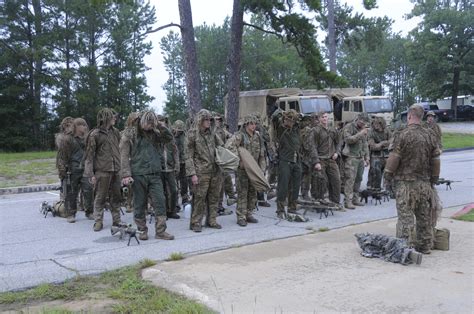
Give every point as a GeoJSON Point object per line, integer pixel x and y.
{"type": "Point", "coordinates": [102, 166]}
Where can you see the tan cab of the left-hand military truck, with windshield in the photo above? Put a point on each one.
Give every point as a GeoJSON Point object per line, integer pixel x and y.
{"type": "Point", "coordinates": [307, 105]}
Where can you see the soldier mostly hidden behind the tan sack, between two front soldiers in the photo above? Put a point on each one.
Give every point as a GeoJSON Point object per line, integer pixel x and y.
{"type": "Point", "coordinates": [227, 186]}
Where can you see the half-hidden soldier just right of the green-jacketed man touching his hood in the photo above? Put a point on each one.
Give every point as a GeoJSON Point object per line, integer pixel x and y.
{"type": "Point", "coordinates": [170, 166]}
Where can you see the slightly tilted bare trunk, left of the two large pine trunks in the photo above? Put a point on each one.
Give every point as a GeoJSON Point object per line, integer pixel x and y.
{"type": "Point", "coordinates": [192, 78]}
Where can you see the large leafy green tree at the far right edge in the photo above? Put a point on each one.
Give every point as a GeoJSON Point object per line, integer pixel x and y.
{"type": "Point", "coordinates": [445, 38]}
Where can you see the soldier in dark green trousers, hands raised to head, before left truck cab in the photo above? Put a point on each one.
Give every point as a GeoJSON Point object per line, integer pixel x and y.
{"type": "Point", "coordinates": [289, 165]}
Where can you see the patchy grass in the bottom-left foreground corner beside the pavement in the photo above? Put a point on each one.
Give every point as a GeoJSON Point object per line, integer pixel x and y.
{"type": "Point", "coordinates": [125, 286]}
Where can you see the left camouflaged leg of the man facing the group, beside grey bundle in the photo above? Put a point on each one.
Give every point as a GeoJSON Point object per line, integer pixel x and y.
{"type": "Point", "coordinates": [406, 220]}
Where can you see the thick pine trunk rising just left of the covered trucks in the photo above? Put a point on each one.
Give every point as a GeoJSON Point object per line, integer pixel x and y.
{"type": "Point", "coordinates": [233, 65]}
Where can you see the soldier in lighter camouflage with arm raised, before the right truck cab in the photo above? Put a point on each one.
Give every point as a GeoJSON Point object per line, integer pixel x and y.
{"type": "Point", "coordinates": [356, 157]}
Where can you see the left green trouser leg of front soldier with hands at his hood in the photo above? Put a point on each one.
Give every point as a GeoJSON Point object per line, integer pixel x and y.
{"type": "Point", "coordinates": [140, 203]}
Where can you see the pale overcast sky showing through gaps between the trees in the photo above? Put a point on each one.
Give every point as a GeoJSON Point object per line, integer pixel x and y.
{"type": "Point", "coordinates": [214, 12]}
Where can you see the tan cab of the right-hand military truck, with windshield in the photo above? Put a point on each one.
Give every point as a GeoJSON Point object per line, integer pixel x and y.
{"type": "Point", "coordinates": [380, 106]}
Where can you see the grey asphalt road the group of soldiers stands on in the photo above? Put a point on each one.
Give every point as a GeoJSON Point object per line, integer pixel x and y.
{"type": "Point", "coordinates": [37, 250]}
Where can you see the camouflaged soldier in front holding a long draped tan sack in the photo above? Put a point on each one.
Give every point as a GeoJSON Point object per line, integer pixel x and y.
{"type": "Point", "coordinates": [251, 140]}
